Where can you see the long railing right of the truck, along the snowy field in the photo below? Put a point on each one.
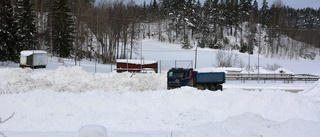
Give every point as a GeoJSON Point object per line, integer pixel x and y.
{"type": "Point", "coordinates": [286, 78]}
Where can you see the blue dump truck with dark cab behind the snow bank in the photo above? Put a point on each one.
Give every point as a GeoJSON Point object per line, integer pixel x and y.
{"type": "Point", "coordinates": [178, 77]}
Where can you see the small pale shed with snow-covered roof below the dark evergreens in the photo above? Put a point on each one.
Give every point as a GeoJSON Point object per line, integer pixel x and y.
{"type": "Point", "coordinates": [33, 58]}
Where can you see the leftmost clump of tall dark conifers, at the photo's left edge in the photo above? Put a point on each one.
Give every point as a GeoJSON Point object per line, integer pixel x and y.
{"type": "Point", "coordinates": [17, 29]}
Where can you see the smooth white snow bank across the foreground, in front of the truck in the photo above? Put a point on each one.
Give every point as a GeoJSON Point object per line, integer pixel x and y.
{"type": "Point", "coordinates": [162, 110]}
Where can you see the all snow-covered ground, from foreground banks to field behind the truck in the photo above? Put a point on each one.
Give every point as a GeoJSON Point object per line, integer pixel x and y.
{"type": "Point", "coordinates": [58, 100]}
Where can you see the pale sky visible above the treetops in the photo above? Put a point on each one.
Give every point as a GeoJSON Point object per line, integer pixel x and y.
{"type": "Point", "coordinates": [291, 3]}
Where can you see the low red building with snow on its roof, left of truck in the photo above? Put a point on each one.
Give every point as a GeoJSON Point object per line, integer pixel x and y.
{"type": "Point", "coordinates": [136, 65]}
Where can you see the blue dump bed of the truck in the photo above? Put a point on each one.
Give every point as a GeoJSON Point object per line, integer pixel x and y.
{"type": "Point", "coordinates": [210, 77]}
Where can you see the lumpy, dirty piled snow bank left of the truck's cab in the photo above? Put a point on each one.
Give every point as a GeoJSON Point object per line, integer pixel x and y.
{"type": "Point", "coordinates": [75, 79]}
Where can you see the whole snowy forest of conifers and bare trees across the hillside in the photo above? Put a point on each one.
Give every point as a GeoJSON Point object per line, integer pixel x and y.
{"type": "Point", "coordinates": [114, 29]}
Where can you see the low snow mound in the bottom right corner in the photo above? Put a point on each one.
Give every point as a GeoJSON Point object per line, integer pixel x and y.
{"type": "Point", "coordinates": [254, 125]}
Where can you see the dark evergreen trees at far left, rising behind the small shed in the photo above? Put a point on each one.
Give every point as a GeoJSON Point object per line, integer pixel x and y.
{"type": "Point", "coordinates": [21, 30]}
